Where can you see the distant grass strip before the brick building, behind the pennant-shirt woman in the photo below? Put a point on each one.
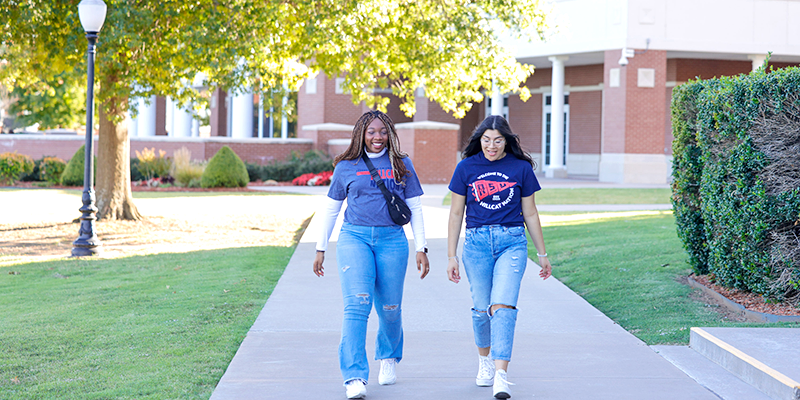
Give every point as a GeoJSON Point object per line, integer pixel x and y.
{"type": "Point", "coordinates": [598, 196]}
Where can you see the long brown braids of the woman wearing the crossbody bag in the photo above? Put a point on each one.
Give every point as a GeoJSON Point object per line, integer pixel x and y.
{"type": "Point", "coordinates": [356, 147]}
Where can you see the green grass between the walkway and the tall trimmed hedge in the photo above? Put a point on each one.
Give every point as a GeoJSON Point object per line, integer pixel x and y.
{"type": "Point", "coordinates": [630, 268]}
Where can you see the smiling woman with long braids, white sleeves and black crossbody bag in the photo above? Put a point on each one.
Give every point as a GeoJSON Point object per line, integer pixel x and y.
{"type": "Point", "coordinates": [372, 250]}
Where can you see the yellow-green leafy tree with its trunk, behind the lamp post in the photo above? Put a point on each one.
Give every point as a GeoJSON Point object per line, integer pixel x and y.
{"type": "Point", "coordinates": [451, 48]}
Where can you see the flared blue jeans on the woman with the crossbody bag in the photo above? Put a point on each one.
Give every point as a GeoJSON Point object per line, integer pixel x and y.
{"type": "Point", "coordinates": [372, 262]}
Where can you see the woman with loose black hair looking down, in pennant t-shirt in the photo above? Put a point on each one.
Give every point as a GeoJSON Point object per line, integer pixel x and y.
{"type": "Point", "coordinates": [495, 183]}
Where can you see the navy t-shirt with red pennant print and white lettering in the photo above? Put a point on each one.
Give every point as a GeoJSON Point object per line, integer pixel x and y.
{"type": "Point", "coordinates": [494, 189]}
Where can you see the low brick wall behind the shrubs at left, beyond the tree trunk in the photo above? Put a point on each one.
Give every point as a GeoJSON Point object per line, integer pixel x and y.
{"type": "Point", "coordinates": [257, 151]}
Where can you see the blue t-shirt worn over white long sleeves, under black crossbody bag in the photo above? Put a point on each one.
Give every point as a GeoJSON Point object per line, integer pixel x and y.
{"type": "Point", "coordinates": [365, 202]}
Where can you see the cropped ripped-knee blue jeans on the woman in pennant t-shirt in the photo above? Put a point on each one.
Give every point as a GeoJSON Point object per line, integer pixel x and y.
{"type": "Point", "coordinates": [494, 259]}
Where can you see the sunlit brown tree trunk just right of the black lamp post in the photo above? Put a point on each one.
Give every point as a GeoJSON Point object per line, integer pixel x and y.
{"type": "Point", "coordinates": [114, 198]}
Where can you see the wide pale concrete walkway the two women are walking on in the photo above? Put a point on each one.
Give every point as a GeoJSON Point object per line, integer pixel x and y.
{"type": "Point", "coordinates": [564, 348]}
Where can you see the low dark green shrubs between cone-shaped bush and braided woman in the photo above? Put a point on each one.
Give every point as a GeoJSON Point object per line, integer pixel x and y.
{"type": "Point", "coordinates": [310, 162]}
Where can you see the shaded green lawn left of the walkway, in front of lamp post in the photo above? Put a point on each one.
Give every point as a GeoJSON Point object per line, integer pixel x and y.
{"type": "Point", "coordinates": [146, 327]}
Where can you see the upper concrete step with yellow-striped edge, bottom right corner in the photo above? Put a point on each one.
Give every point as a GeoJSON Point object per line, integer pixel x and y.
{"type": "Point", "coordinates": [766, 358]}
